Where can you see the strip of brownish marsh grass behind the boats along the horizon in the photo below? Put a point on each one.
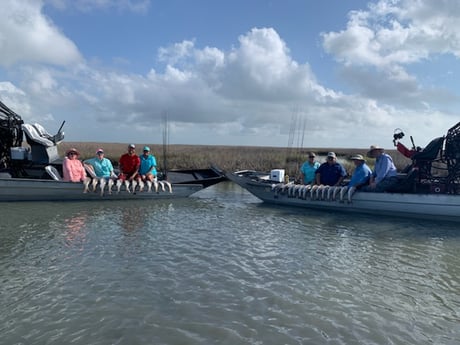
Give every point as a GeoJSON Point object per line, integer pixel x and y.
{"type": "Point", "coordinates": [228, 158]}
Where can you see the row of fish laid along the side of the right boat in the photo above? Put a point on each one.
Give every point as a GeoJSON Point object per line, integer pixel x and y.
{"type": "Point", "coordinates": [315, 192]}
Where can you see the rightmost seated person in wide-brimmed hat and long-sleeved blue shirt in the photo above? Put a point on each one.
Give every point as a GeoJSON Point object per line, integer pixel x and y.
{"type": "Point", "coordinates": [384, 176]}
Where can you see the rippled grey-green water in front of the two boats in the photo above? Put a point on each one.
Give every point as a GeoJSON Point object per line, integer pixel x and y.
{"type": "Point", "coordinates": [221, 267]}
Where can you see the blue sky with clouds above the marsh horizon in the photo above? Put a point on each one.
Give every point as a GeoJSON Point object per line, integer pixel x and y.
{"type": "Point", "coordinates": [284, 73]}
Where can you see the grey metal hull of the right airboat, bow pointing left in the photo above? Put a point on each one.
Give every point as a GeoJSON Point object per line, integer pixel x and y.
{"type": "Point", "coordinates": [427, 206]}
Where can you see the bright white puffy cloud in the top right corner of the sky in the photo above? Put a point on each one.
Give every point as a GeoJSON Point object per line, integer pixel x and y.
{"type": "Point", "coordinates": [397, 32]}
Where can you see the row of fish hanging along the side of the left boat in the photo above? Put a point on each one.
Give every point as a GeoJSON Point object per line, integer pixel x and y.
{"type": "Point", "coordinates": [130, 186]}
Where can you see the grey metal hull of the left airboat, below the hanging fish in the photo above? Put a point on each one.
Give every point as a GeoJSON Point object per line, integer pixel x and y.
{"type": "Point", "coordinates": [18, 189]}
